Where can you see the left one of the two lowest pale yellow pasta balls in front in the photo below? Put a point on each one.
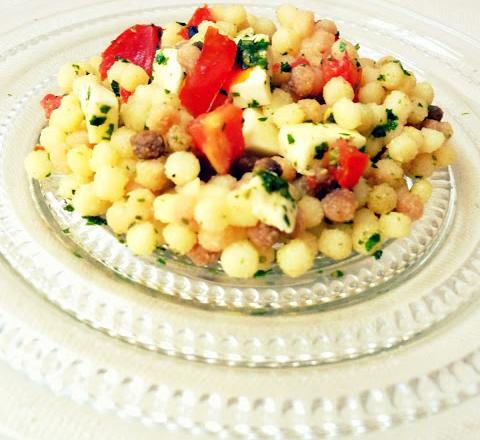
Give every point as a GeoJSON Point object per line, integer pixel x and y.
{"type": "Point", "coordinates": [240, 259]}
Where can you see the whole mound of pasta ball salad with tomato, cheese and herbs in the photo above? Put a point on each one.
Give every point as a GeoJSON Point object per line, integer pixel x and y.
{"type": "Point", "coordinates": [236, 140]}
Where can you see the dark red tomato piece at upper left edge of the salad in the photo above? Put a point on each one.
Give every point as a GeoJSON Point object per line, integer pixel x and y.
{"type": "Point", "coordinates": [137, 44]}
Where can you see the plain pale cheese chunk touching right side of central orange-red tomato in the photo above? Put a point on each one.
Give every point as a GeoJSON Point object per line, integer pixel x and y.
{"type": "Point", "coordinates": [261, 135]}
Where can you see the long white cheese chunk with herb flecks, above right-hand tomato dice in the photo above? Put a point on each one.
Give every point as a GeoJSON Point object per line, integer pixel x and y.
{"type": "Point", "coordinates": [298, 142]}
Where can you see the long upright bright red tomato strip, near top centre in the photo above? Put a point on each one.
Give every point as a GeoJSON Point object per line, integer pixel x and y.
{"type": "Point", "coordinates": [211, 72]}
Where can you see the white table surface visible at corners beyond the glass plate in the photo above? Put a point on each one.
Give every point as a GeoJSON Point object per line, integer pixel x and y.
{"type": "Point", "coordinates": [31, 411]}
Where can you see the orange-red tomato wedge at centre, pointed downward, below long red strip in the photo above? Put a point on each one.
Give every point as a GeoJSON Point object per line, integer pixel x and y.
{"type": "Point", "coordinates": [218, 135]}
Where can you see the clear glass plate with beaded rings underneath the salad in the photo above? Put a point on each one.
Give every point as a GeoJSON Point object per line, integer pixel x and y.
{"type": "Point", "coordinates": [373, 393]}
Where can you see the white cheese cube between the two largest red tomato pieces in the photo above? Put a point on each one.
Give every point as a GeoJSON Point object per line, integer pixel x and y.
{"type": "Point", "coordinates": [167, 71]}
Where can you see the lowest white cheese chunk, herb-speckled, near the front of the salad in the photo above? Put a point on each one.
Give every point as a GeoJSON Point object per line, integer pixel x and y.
{"type": "Point", "coordinates": [272, 208]}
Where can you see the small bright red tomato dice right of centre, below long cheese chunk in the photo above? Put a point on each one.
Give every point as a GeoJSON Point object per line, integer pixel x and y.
{"type": "Point", "coordinates": [351, 165]}
